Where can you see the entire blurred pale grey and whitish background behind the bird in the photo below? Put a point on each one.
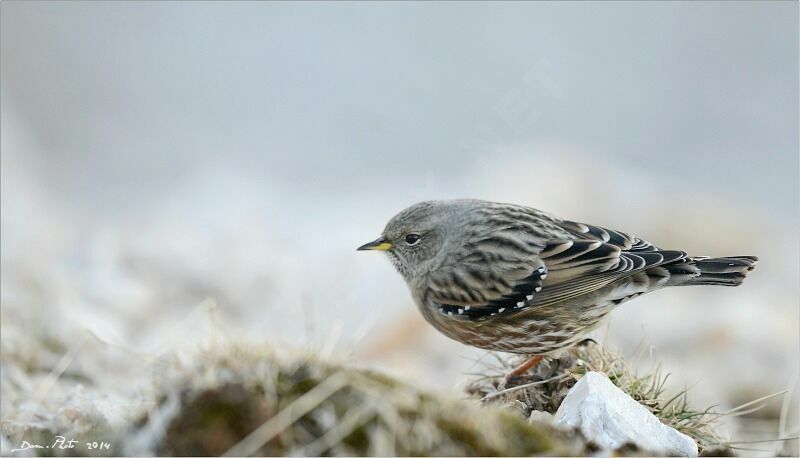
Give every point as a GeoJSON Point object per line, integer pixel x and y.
{"type": "Point", "coordinates": [163, 161]}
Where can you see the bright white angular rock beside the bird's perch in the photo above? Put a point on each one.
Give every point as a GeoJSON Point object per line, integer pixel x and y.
{"type": "Point", "coordinates": [610, 418]}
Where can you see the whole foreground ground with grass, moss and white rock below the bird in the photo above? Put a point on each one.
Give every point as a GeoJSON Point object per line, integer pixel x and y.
{"type": "Point", "coordinates": [243, 399]}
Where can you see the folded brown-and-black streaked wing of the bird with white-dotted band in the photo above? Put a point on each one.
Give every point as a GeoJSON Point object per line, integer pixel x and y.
{"type": "Point", "coordinates": [594, 258]}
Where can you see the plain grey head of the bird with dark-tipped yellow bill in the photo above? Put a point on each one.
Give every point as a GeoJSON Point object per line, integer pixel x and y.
{"type": "Point", "coordinates": [413, 237]}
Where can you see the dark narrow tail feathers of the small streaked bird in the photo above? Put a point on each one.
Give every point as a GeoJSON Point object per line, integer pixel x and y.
{"type": "Point", "coordinates": [701, 270]}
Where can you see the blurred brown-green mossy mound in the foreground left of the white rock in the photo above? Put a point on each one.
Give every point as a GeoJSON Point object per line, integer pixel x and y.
{"type": "Point", "coordinates": [226, 398]}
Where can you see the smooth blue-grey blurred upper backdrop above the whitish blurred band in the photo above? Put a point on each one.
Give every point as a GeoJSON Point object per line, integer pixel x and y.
{"type": "Point", "coordinates": [122, 100]}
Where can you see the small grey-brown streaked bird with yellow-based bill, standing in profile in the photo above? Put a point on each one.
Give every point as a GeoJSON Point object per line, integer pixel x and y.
{"type": "Point", "coordinates": [511, 278]}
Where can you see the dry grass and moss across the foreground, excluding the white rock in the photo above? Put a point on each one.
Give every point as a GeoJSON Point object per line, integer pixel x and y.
{"type": "Point", "coordinates": [254, 400]}
